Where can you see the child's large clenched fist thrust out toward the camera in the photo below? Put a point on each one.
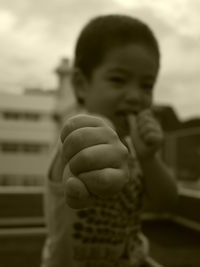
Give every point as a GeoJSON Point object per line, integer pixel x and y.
{"type": "Point", "coordinates": [95, 160]}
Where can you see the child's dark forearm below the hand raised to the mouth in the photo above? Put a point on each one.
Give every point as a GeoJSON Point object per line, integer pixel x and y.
{"type": "Point", "coordinates": [160, 184]}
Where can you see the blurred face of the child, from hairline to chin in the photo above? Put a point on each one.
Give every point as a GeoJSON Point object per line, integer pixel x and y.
{"type": "Point", "coordinates": [122, 84]}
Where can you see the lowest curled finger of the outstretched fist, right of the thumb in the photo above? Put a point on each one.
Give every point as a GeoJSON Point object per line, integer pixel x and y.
{"type": "Point", "coordinates": [106, 182]}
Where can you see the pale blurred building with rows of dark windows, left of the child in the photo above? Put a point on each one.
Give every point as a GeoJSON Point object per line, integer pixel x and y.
{"type": "Point", "coordinates": [28, 130]}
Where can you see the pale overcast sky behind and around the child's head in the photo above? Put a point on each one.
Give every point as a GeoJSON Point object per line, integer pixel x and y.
{"type": "Point", "coordinates": [36, 34]}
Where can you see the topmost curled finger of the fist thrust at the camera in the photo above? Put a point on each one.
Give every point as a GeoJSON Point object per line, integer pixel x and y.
{"type": "Point", "coordinates": [80, 121]}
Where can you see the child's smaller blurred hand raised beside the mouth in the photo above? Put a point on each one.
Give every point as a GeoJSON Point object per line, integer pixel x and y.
{"type": "Point", "coordinates": [146, 134]}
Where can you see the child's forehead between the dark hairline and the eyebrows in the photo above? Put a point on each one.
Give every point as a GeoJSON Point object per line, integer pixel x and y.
{"type": "Point", "coordinates": [132, 58]}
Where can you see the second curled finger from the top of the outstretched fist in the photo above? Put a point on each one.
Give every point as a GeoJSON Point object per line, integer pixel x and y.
{"type": "Point", "coordinates": [86, 137]}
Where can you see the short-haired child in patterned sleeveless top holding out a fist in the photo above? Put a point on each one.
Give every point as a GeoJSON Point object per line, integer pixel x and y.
{"type": "Point", "coordinates": [108, 162]}
